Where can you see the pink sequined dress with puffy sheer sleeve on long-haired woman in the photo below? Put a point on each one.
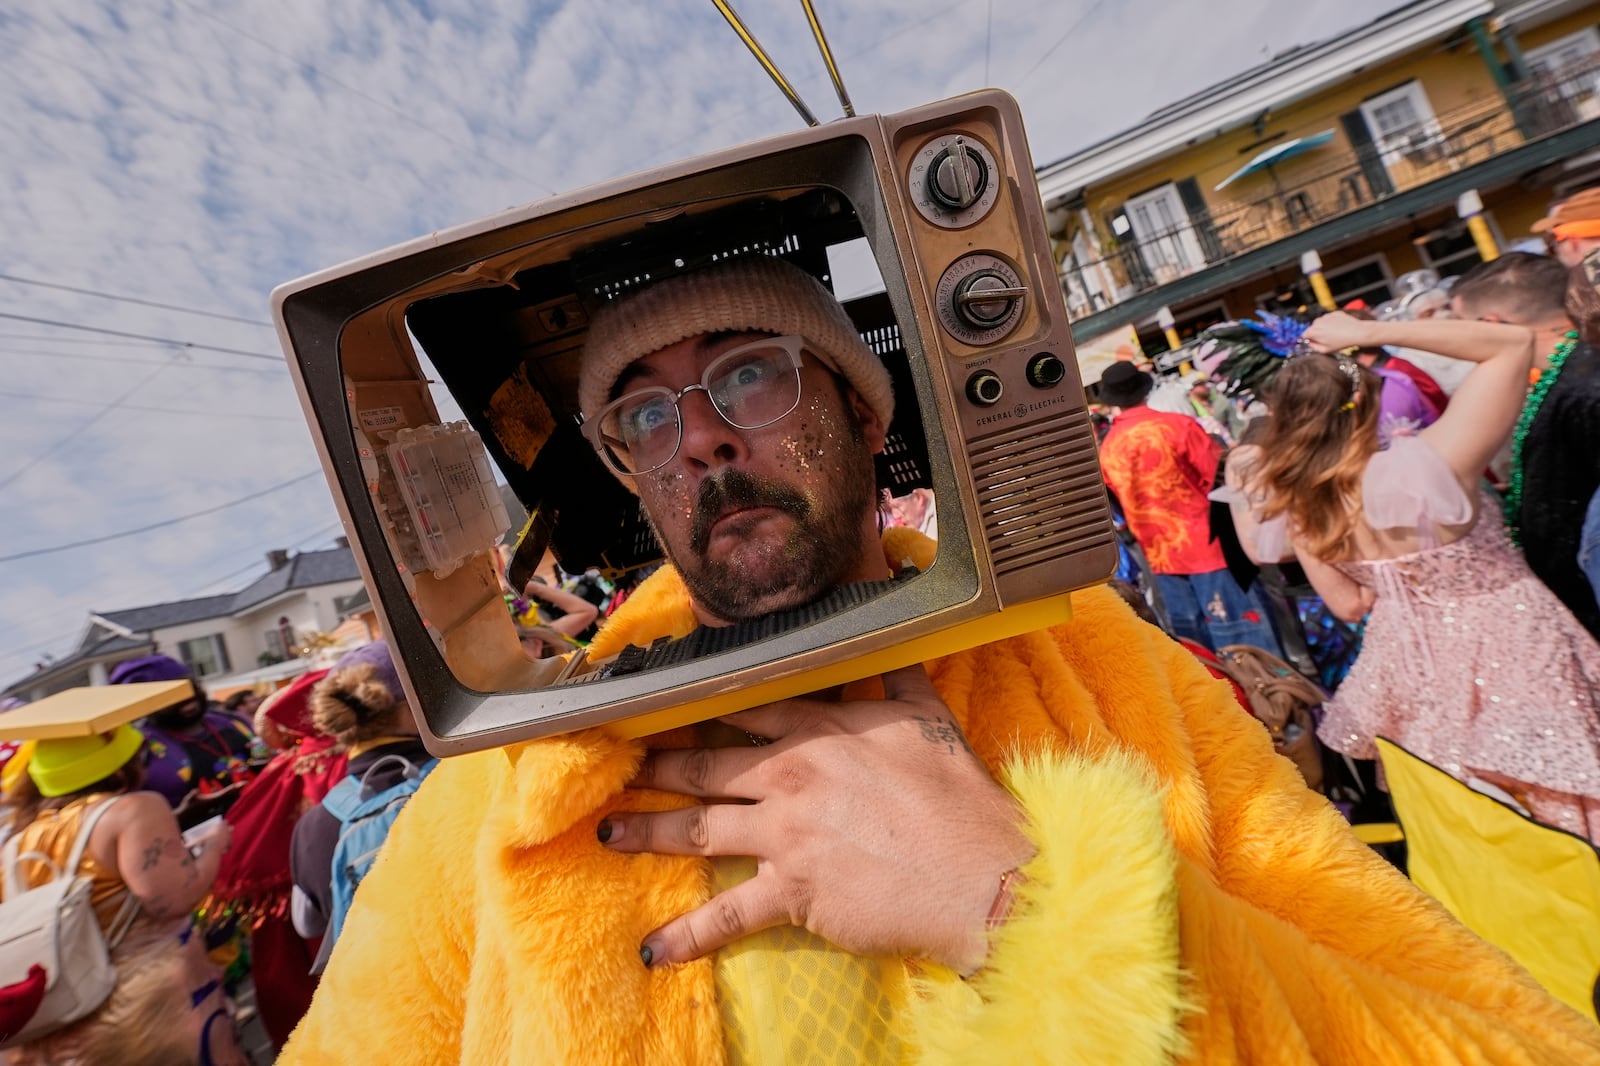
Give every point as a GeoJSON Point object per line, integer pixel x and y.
{"type": "Point", "coordinates": [1470, 660]}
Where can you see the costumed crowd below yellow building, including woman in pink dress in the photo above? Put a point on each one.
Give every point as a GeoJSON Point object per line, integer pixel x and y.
{"type": "Point", "coordinates": [1449, 531]}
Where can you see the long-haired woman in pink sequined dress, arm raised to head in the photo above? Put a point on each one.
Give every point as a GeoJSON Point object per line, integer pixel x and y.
{"type": "Point", "coordinates": [1470, 660]}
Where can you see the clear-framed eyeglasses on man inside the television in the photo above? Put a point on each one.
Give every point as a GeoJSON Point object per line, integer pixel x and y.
{"type": "Point", "coordinates": [751, 387]}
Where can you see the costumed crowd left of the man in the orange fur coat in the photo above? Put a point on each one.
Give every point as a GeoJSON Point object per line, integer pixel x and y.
{"type": "Point", "coordinates": [210, 846]}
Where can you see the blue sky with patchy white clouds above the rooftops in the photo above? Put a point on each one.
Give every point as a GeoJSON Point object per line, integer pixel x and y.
{"type": "Point", "coordinates": [174, 161]}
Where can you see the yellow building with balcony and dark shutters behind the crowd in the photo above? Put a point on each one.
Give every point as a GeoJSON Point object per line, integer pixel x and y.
{"type": "Point", "coordinates": [1364, 150]}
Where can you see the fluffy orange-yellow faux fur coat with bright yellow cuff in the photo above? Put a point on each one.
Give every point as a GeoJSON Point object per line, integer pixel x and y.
{"type": "Point", "coordinates": [1190, 902]}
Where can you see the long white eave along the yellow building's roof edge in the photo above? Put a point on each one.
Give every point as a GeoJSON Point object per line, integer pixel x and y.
{"type": "Point", "coordinates": [1258, 90]}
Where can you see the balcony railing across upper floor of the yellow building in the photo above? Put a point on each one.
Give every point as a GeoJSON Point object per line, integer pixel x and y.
{"type": "Point", "coordinates": [1342, 183]}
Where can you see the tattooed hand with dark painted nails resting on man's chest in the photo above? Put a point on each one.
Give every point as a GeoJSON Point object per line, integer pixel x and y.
{"type": "Point", "coordinates": [871, 822]}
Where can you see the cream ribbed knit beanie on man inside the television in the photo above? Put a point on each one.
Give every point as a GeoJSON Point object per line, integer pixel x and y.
{"type": "Point", "coordinates": [753, 294]}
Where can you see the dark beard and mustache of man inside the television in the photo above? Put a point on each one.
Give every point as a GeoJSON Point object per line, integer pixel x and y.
{"type": "Point", "coordinates": [822, 548]}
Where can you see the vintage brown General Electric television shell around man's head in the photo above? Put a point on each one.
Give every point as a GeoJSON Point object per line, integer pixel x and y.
{"type": "Point", "coordinates": [990, 415]}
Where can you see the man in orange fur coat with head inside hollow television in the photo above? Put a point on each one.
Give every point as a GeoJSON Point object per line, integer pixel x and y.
{"type": "Point", "coordinates": [1070, 846]}
